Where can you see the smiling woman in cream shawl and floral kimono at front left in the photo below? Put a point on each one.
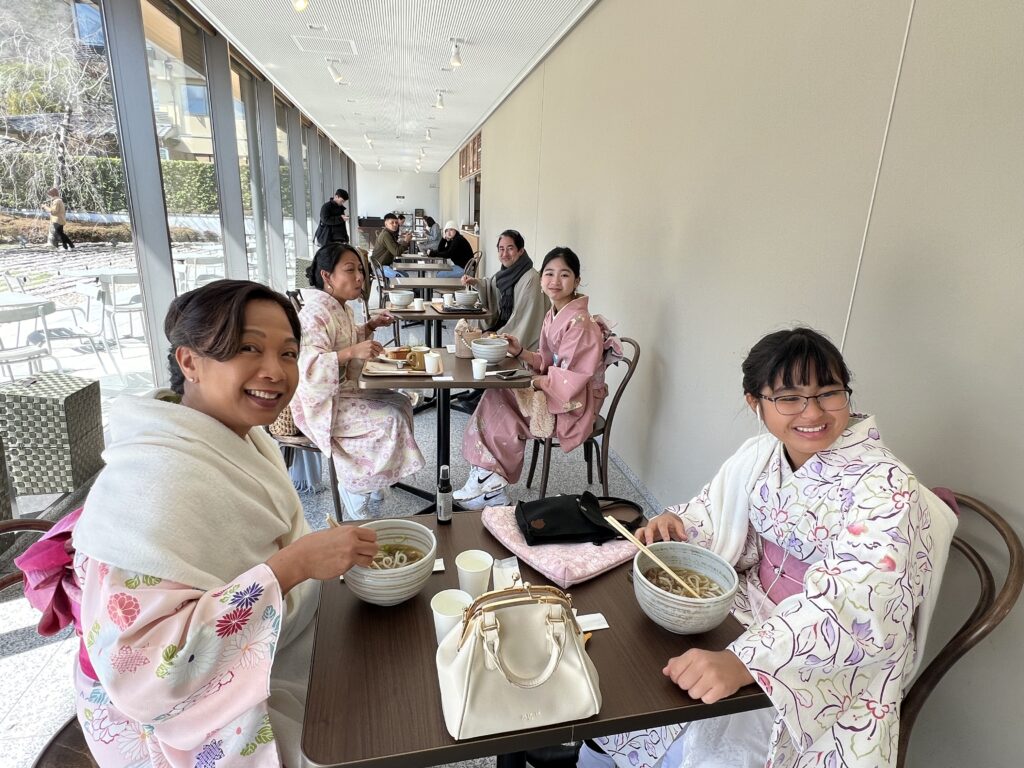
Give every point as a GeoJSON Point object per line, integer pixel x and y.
{"type": "Point", "coordinates": [197, 568]}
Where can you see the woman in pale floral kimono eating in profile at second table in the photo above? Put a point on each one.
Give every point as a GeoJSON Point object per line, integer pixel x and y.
{"type": "Point", "coordinates": [369, 435]}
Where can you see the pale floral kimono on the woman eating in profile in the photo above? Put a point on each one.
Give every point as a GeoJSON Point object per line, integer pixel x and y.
{"type": "Point", "coordinates": [368, 433]}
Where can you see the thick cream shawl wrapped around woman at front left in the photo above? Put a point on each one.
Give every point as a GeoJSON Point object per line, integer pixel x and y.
{"type": "Point", "coordinates": [184, 498]}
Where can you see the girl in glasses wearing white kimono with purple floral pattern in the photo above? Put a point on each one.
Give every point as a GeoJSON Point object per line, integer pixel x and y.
{"type": "Point", "coordinates": [840, 551]}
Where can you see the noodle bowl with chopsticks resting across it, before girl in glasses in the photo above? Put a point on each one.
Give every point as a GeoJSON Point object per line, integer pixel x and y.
{"type": "Point", "coordinates": [668, 605]}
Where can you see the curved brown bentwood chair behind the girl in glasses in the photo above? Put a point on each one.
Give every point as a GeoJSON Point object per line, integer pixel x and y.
{"type": "Point", "coordinates": [990, 611]}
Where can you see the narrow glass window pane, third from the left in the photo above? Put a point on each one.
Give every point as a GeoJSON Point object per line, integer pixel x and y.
{"type": "Point", "coordinates": [253, 200]}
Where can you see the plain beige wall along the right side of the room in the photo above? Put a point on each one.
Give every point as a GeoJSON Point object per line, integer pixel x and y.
{"type": "Point", "coordinates": [713, 166]}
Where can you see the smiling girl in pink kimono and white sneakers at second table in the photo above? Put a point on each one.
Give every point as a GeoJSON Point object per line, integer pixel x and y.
{"type": "Point", "coordinates": [571, 367]}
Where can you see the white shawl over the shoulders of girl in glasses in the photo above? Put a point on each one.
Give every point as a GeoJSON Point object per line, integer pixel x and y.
{"type": "Point", "coordinates": [729, 507]}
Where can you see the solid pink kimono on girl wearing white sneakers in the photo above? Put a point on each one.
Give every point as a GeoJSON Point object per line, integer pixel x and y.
{"type": "Point", "coordinates": [573, 358]}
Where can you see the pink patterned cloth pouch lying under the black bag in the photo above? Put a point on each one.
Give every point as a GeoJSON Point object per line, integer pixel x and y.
{"type": "Point", "coordinates": [565, 565]}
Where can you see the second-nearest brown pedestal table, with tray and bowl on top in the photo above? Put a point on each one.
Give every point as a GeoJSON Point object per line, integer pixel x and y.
{"type": "Point", "coordinates": [457, 374]}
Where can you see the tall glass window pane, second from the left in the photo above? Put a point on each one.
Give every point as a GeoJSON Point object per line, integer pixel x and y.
{"type": "Point", "coordinates": [185, 134]}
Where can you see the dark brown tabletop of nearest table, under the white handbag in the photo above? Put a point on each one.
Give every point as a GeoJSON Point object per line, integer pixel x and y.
{"type": "Point", "coordinates": [374, 700]}
